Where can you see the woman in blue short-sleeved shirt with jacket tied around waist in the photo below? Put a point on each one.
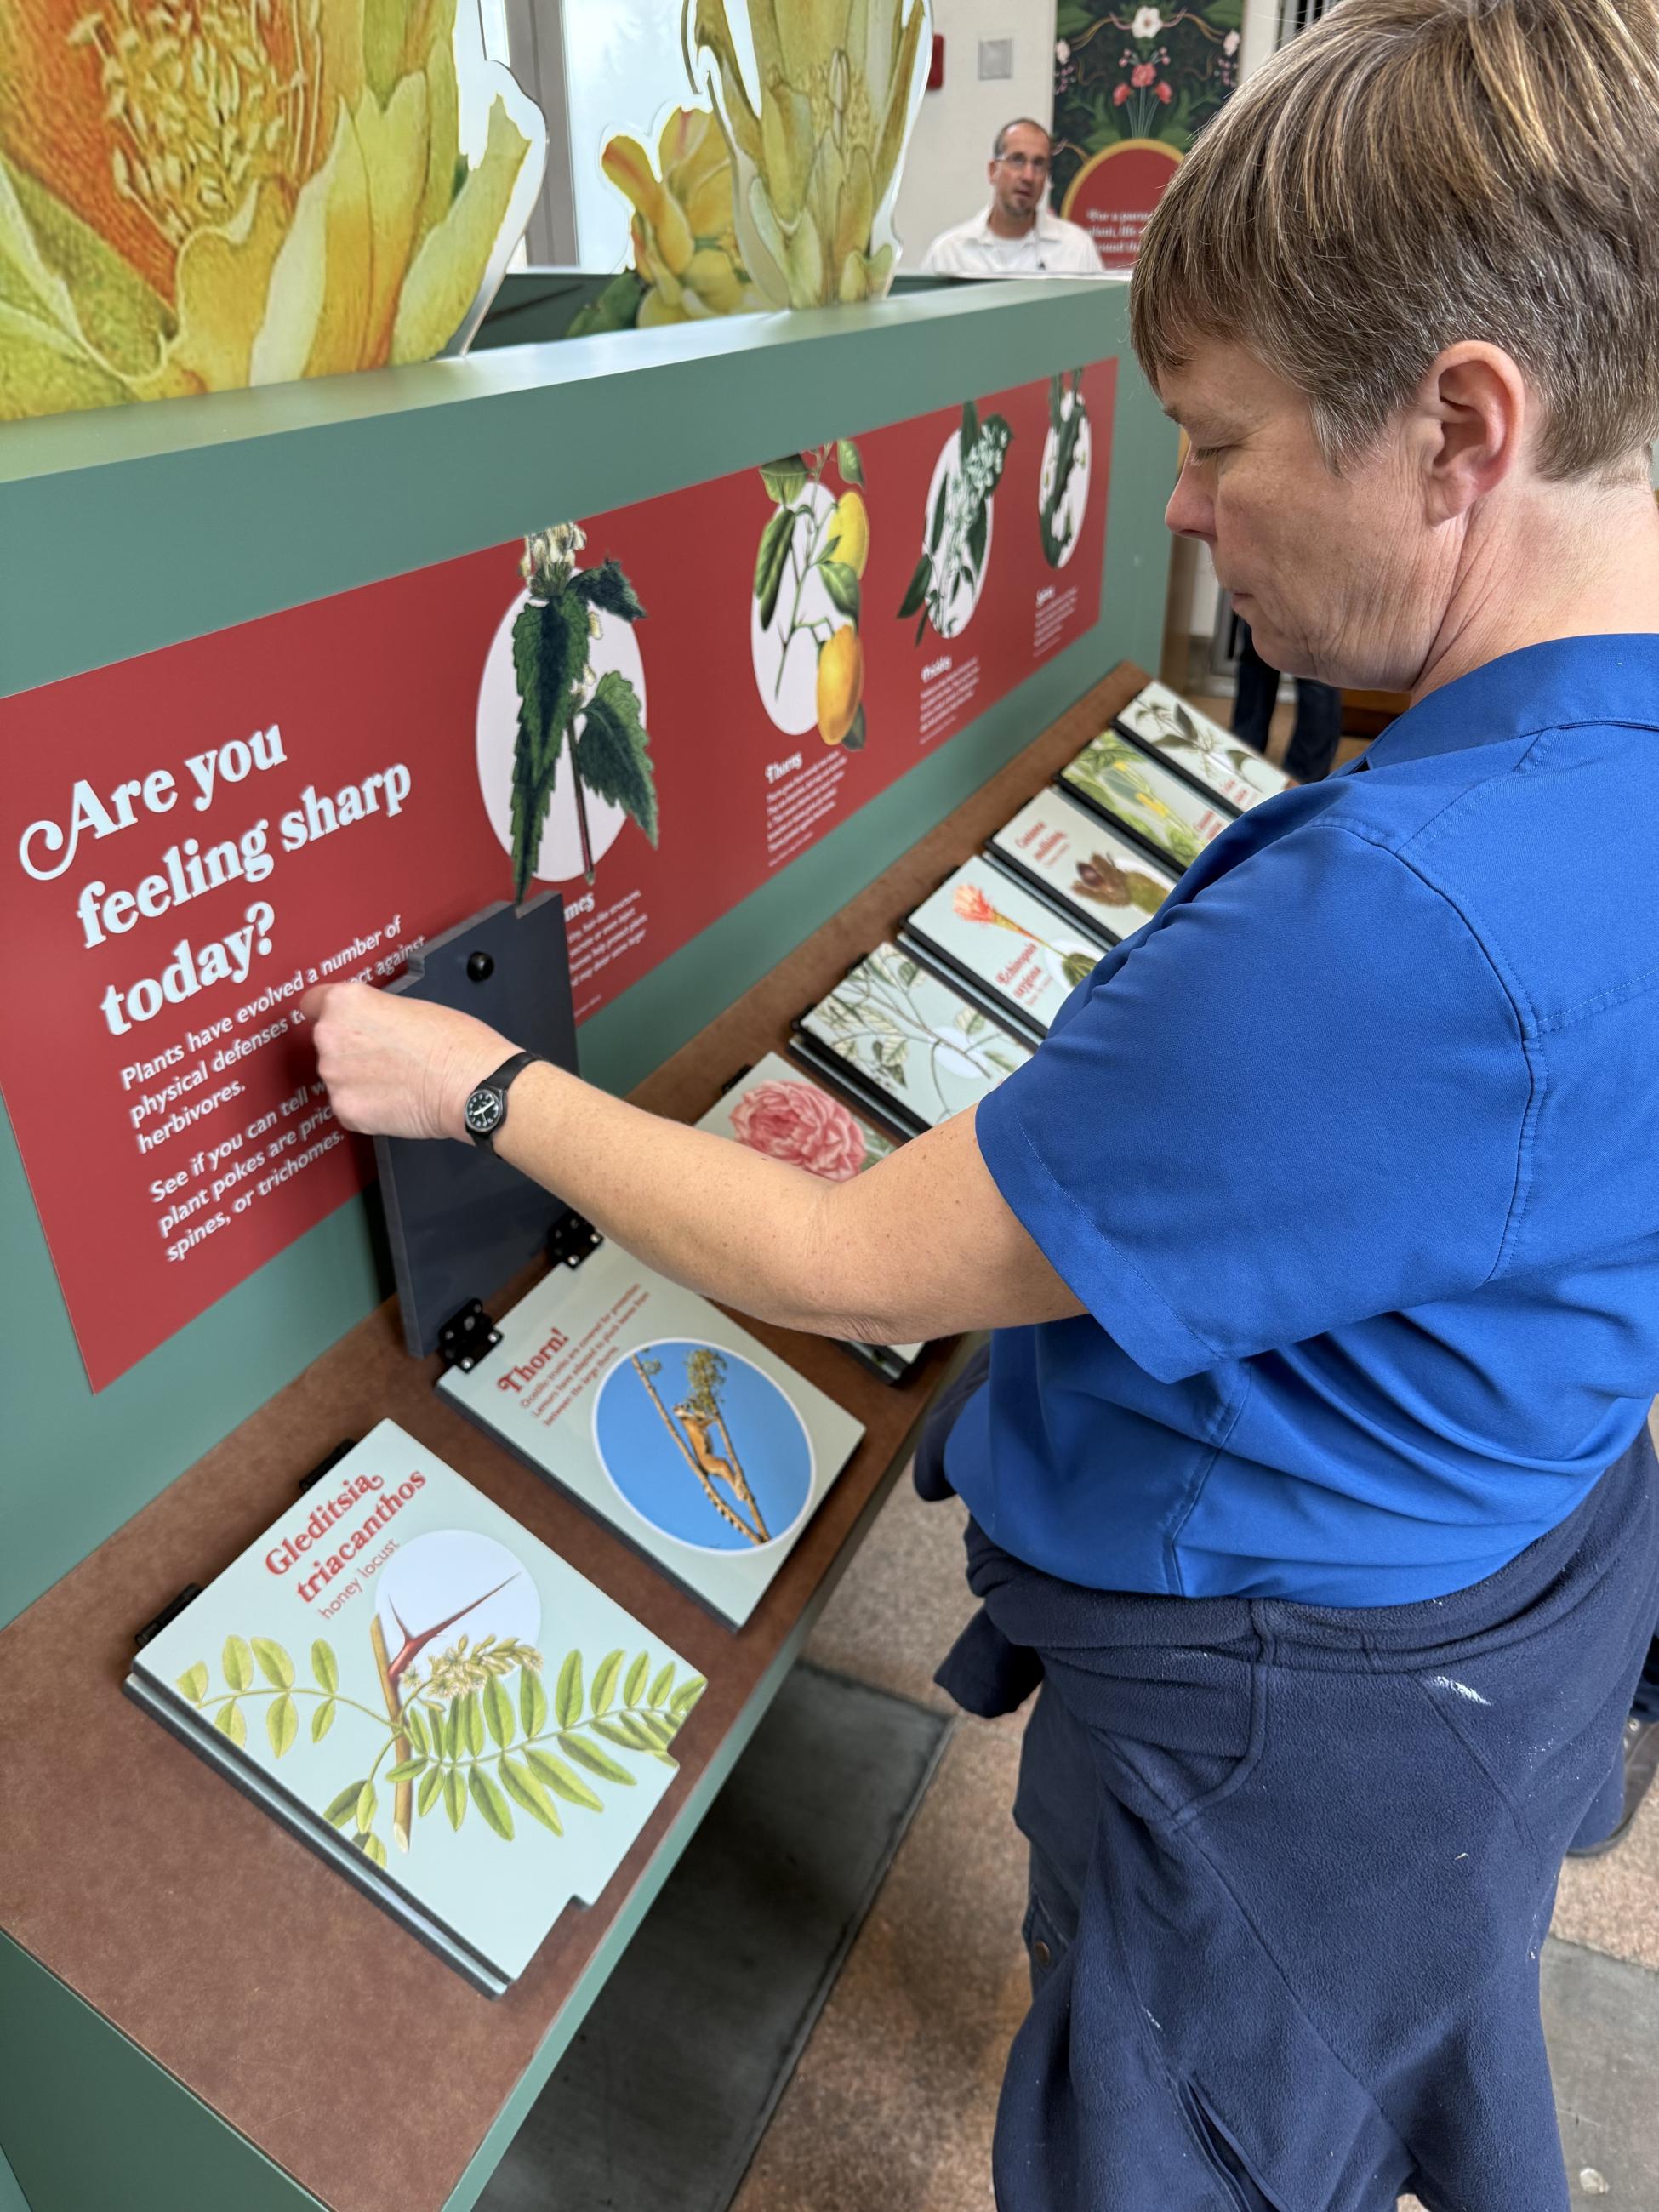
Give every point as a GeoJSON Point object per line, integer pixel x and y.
{"type": "Point", "coordinates": [1313, 1488]}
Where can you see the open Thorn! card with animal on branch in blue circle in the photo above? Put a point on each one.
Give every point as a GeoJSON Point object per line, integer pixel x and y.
{"type": "Point", "coordinates": [665, 1419]}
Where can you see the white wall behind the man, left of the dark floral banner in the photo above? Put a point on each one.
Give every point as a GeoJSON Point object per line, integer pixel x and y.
{"type": "Point", "coordinates": [946, 167]}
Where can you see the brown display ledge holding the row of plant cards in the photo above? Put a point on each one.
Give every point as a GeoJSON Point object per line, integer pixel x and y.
{"type": "Point", "coordinates": [300, 2012]}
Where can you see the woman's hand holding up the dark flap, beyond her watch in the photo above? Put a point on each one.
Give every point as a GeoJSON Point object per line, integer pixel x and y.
{"type": "Point", "coordinates": [397, 1067]}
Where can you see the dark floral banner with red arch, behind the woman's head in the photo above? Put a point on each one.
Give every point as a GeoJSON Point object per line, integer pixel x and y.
{"type": "Point", "coordinates": [1134, 87]}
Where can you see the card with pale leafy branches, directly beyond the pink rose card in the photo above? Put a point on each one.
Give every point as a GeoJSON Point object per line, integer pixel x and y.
{"type": "Point", "coordinates": [901, 1036]}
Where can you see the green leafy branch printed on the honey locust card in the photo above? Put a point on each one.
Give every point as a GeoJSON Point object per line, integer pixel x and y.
{"type": "Point", "coordinates": [470, 1740]}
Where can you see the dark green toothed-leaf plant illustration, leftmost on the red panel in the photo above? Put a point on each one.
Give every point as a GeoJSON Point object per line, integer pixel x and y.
{"type": "Point", "coordinates": [561, 702]}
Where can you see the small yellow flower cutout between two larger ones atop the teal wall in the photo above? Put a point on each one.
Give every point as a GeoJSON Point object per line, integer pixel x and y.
{"type": "Point", "coordinates": [685, 242]}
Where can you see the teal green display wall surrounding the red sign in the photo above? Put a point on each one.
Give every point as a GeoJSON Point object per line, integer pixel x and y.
{"type": "Point", "coordinates": [231, 508]}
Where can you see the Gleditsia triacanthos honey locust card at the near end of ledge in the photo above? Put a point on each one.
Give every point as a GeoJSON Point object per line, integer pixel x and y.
{"type": "Point", "coordinates": [430, 1698]}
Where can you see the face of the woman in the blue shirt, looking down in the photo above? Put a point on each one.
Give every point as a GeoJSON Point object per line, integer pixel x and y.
{"type": "Point", "coordinates": [1342, 578]}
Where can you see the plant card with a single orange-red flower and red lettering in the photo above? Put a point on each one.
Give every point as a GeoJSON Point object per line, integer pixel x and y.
{"type": "Point", "coordinates": [1003, 946]}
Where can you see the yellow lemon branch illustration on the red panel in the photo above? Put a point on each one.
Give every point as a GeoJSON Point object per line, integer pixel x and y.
{"type": "Point", "coordinates": [804, 541]}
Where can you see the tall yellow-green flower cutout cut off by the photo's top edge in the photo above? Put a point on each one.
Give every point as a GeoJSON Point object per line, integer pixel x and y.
{"type": "Point", "coordinates": [817, 156]}
